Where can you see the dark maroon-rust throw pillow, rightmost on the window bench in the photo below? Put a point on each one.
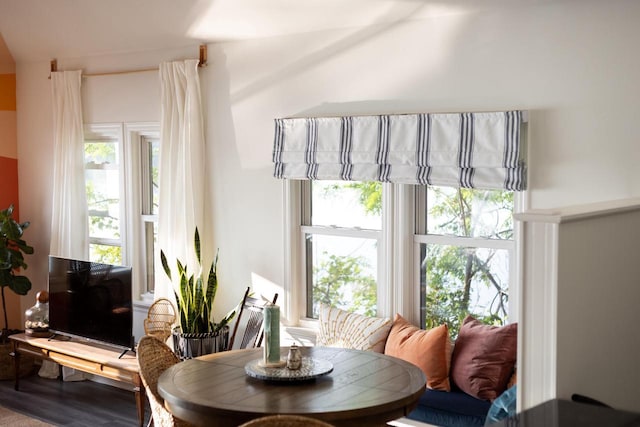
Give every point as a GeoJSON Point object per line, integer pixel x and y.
{"type": "Point", "coordinates": [484, 358]}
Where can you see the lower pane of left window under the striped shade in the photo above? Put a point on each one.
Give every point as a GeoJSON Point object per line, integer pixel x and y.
{"type": "Point", "coordinates": [342, 273]}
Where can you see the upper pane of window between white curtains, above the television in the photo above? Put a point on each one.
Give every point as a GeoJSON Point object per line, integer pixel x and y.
{"type": "Point", "coordinates": [102, 179]}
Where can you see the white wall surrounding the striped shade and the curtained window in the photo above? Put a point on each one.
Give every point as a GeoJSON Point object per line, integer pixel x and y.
{"type": "Point", "coordinates": [571, 63]}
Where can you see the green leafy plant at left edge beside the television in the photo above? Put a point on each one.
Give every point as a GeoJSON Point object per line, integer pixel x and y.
{"type": "Point", "coordinates": [12, 251]}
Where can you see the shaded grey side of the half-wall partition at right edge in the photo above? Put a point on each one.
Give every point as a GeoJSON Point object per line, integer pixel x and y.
{"type": "Point", "coordinates": [598, 350]}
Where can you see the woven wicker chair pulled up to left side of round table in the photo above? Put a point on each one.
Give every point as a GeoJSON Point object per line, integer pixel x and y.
{"type": "Point", "coordinates": [154, 357]}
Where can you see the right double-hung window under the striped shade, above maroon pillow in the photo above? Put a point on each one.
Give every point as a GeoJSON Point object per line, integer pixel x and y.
{"type": "Point", "coordinates": [465, 238]}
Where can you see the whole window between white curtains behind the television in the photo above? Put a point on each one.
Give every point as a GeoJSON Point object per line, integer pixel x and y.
{"type": "Point", "coordinates": [121, 176]}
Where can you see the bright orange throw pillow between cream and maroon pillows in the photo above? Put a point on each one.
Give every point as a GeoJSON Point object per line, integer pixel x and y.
{"type": "Point", "coordinates": [430, 350]}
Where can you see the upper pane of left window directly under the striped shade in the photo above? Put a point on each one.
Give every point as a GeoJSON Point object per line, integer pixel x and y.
{"type": "Point", "coordinates": [346, 204]}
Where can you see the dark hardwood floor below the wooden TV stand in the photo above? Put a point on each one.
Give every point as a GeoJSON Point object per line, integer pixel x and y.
{"type": "Point", "coordinates": [73, 404]}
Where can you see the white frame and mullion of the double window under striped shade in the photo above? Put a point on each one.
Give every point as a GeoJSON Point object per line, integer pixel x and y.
{"type": "Point", "coordinates": [398, 255]}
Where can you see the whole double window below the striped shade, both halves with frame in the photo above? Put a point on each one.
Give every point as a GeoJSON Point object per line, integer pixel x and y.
{"type": "Point", "coordinates": [379, 249]}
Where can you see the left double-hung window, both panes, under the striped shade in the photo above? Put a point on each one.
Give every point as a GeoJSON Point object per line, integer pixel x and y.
{"type": "Point", "coordinates": [341, 236]}
